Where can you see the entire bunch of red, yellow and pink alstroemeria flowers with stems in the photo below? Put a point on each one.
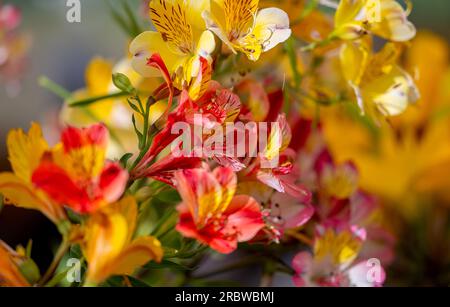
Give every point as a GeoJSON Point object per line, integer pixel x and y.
{"type": "Point", "coordinates": [130, 195]}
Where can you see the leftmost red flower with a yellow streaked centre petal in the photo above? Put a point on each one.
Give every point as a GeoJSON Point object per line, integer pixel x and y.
{"type": "Point", "coordinates": [76, 174]}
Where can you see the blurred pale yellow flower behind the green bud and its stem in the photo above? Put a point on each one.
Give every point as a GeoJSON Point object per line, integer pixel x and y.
{"type": "Point", "coordinates": [114, 113]}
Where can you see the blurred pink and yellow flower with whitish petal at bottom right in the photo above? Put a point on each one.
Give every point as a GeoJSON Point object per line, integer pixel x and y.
{"type": "Point", "coordinates": [332, 261]}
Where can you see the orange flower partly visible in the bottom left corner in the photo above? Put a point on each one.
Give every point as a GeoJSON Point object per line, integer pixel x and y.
{"type": "Point", "coordinates": [10, 275]}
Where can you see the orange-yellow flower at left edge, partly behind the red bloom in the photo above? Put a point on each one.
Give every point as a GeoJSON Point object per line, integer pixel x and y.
{"type": "Point", "coordinates": [25, 154]}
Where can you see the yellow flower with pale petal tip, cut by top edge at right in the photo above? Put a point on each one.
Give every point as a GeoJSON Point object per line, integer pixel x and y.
{"type": "Point", "coordinates": [385, 18]}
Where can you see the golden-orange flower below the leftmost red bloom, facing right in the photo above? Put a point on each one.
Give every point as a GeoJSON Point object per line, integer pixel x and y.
{"type": "Point", "coordinates": [109, 246]}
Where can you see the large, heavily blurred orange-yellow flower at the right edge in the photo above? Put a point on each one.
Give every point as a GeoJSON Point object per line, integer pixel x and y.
{"type": "Point", "coordinates": [409, 157]}
